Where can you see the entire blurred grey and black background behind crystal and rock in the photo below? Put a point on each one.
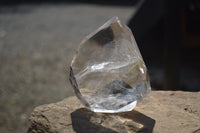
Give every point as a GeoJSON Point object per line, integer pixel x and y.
{"type": "Point", "coordinates": [39, 38]}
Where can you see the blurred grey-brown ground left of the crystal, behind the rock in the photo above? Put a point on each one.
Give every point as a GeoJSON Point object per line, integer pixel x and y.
{"type": "Point", "coordinates": [37, 43]}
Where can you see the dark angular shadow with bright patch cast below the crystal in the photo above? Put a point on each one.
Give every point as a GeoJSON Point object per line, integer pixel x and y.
{"type": "Point", "coordinates": [84, 120]}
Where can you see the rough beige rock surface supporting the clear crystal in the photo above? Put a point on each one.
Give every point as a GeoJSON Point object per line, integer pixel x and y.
{"type": "Point", "coordinates": [160, 112]}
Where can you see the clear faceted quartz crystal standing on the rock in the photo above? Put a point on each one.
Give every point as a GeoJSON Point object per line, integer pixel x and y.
{"type": "Point", "coordinates": [108, 73]}
